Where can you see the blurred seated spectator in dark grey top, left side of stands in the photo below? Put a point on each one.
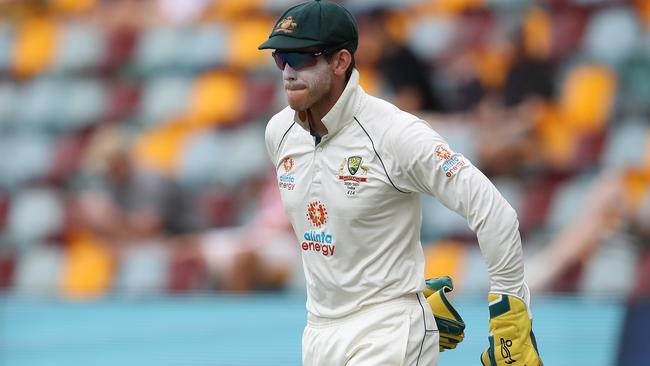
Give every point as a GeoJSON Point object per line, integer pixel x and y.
{"type": "Point", "coordinates": [122, 201]}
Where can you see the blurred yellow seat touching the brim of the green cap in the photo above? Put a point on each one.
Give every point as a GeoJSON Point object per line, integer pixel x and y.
{"type": "Point", "coordinates": [246, 35]}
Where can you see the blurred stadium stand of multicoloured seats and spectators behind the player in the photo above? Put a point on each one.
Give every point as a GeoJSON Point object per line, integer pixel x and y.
{"type": "Point", "coordinates": [132, 158]}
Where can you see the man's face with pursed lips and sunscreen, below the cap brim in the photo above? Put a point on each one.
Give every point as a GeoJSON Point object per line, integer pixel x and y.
{"type": "Point", "coordinates": [308, 85]}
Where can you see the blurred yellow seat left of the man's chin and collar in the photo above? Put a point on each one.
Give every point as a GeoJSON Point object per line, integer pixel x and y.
{"type": "Point", "coordinates": [216, 97]}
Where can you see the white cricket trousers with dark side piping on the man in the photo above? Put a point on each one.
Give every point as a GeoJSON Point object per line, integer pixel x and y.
{"type": "Point", "coordinates": [399, 332]}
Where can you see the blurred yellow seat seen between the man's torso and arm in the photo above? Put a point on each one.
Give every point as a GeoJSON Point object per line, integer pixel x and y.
{"type": "Point", "coordinates": [445, 258]}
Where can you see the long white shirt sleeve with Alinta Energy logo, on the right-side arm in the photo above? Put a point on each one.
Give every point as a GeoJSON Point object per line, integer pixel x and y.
{"type": "Point", "coordinates": [425, 163]}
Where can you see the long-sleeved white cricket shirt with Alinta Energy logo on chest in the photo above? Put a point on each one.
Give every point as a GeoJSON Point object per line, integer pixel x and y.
{"type": "Point", "coordinates": [353, 201]}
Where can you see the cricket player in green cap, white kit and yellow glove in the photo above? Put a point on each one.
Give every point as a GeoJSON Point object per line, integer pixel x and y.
{"type": "Point", "coordinates": [350, 168]}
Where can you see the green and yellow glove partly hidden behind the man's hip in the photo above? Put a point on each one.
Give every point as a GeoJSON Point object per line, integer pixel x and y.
{"type": "Point", "coordinates": [451, 326]}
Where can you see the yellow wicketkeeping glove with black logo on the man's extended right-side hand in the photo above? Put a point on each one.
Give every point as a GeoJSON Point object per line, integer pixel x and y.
{"type": "Point", "coordinates": [511, 339]}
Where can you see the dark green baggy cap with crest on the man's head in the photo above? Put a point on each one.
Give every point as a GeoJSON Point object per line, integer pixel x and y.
{"type": "Point", "coordinates": [314, 23]}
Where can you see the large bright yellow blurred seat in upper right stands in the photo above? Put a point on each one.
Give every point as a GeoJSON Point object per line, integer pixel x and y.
{"type": "Point", "coordinates": [587, 97]}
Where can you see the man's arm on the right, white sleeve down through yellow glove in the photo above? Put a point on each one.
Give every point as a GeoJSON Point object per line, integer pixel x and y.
{"type": "Point", "coordinates": [429, 165]}
